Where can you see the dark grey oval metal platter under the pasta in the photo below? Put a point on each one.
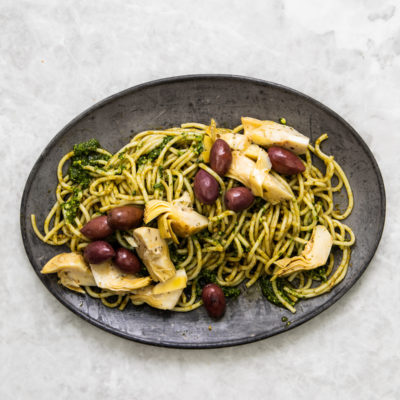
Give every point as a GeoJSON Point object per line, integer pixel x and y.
{"type": "Point", "coordinates": [170, 102]}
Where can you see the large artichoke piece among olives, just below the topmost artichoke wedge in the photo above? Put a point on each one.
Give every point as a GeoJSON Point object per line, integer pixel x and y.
{"type": "Point", "coordinates": [255, 176]}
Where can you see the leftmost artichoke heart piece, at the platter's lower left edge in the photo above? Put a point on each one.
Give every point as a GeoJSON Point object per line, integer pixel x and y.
{"type": "Point", "coordinates": [72, 271]}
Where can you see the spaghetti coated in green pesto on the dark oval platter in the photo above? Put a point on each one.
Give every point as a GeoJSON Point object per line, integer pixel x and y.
{"type": "Point", "coordinates": [237, 248]}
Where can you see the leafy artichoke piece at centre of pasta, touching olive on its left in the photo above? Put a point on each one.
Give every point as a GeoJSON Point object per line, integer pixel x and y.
{"type": "Point", "coordinates": [179, 217]}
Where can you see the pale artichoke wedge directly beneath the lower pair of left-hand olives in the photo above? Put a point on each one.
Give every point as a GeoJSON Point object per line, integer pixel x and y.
{"type": "Point", "coordinates": [108, 276]}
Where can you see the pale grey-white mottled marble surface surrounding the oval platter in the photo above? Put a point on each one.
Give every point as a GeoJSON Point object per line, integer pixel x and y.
{"type": "Point", "coordinates": [59, 57]}
